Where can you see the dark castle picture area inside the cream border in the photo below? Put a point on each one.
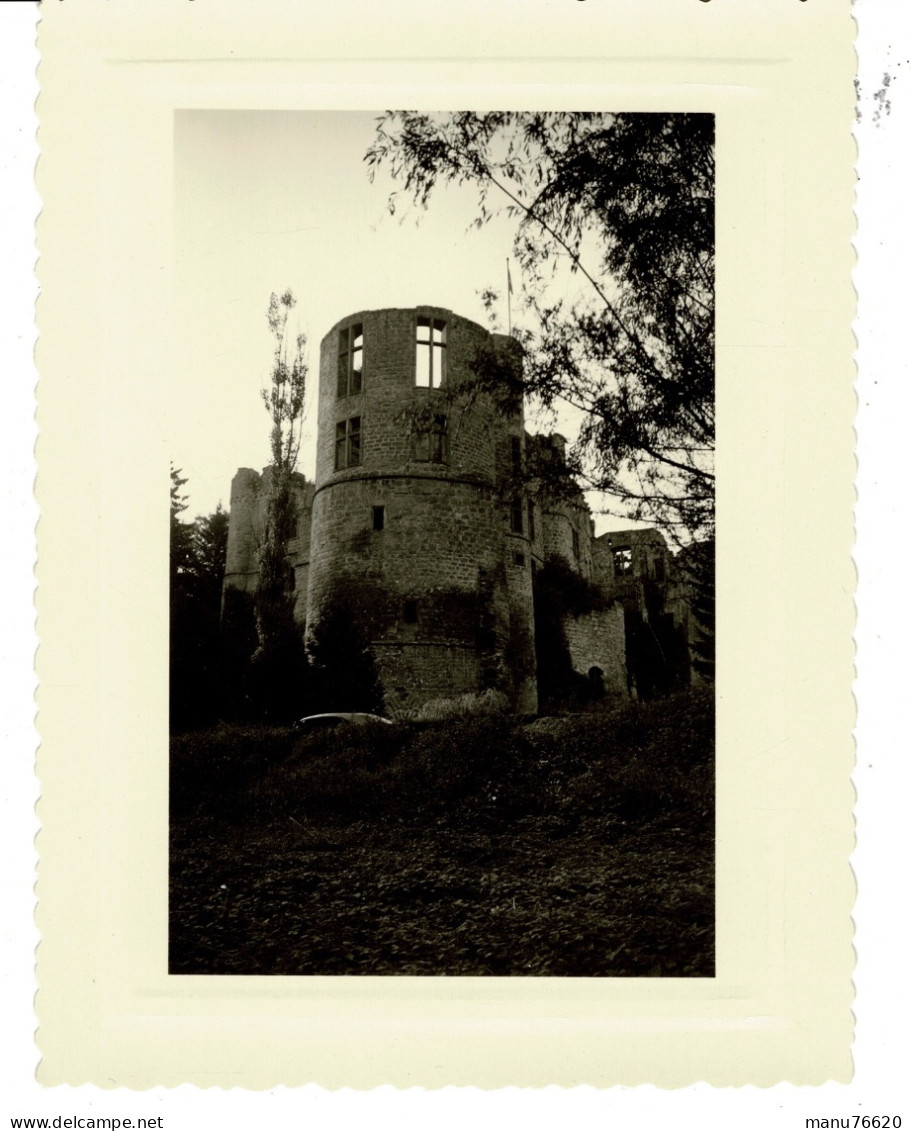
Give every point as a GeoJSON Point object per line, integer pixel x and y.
{"type": "Point", "coordinates": [442, 545]}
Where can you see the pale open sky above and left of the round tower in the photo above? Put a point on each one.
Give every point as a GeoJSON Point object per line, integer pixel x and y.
{"type": "Point", "coordinates": [269, 201]}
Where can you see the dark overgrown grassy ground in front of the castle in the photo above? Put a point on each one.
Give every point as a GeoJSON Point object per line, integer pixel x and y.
{"type": "Point", "coordinates": [574, 848]}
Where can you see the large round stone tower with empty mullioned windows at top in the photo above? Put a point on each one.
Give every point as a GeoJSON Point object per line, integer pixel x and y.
{"type": "Point", "coordinates": [419, 524]}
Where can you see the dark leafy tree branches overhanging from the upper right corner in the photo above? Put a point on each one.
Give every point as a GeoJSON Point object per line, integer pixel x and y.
{"type": "Point", "coordinates": [625, 204]}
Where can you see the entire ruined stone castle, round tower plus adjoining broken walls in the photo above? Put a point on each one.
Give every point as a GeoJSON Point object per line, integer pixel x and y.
{"type": "Point", "coordinates": [427, 520]}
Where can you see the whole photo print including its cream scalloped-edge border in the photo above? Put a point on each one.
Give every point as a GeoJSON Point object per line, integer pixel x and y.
{"type": "Point", "coordinates": [444, 588]}
